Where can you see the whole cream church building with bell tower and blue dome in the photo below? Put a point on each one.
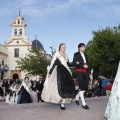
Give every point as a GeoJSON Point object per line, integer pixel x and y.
{"type": "Point", "coordinates": [16, 47]}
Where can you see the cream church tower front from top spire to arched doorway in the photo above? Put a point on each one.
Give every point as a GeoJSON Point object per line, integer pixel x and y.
{"type": "Point", "coordinates": [18, 46]}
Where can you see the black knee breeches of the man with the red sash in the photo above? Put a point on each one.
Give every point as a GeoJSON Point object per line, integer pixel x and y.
{"type": "Point", "coordinates": [82, 79]}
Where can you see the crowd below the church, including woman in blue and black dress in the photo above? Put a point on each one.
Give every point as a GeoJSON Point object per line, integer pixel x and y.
{"type": "Point", "coordinates": [21, 91]}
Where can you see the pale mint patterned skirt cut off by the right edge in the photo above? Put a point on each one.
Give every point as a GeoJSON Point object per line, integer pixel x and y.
{"type": "Point", "coordinates": [113, 107]}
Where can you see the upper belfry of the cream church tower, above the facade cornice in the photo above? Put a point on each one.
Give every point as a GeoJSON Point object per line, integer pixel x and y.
{"type": "Point", "coordinates": [18, 32]}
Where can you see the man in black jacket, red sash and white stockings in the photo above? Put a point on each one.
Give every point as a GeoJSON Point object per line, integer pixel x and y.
{"type": "Point", "coordinates": [81, 64]}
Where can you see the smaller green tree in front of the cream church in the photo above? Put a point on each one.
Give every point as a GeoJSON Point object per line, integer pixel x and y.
{"type": "Point", "coordinates": [34, 63]}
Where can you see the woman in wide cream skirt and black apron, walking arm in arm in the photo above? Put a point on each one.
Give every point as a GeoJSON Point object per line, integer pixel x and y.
{"type": "Point", "coordinates": [59, 86]}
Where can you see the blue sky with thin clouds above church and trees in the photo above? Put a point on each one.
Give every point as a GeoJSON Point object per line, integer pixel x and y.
{"type": "Point", "coordinates": [59, 21]}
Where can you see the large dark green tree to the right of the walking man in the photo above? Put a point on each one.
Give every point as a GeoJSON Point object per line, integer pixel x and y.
{"type": "Point", "coordinates": [104, 46]}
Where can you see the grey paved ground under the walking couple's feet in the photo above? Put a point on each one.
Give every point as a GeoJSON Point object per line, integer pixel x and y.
{"type": "Point", "coordinates": [47, 111]}
